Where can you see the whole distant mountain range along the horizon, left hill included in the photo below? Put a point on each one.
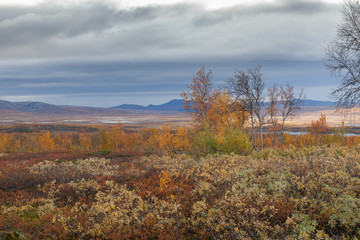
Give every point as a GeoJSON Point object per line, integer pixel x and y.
{"type": "Point", "coordinates": [176, 105]}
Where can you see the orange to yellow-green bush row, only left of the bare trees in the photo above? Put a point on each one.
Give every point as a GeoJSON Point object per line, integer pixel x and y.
{"type": "Point", "coordinates": [163, 141]}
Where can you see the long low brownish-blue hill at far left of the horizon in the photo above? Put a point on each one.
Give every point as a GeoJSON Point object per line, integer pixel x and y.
{"type": "Point", "coordinates": [45, 108]}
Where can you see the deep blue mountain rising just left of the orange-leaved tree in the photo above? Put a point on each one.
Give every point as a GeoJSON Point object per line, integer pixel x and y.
{"type": "Point", "coordinates": [176, 105]}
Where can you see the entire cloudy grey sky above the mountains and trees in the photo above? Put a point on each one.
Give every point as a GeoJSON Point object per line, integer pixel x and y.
{"type": "Point", "coordinates": [105, 53]}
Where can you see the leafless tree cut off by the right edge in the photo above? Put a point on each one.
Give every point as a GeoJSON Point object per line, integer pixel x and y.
{"type": "Point", "coordinates": [343, 57]}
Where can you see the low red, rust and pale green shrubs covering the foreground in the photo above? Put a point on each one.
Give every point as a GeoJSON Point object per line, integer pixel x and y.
{"type": "Point", "coordinates": [272, 194]}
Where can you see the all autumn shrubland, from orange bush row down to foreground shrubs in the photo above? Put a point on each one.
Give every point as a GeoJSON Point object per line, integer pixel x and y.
{"type": "Point", "coordinates": [183, 183]}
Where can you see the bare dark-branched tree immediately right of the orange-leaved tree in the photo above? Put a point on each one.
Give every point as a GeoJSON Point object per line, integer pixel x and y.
{"type": "Point", "coordinates": [248, 89]}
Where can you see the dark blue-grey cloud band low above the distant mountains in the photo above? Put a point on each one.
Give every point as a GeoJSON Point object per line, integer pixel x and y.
{"type": "Point", "coordinates": [120, 79]}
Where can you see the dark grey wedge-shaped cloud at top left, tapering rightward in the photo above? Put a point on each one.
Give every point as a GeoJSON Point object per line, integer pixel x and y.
{"type": "Point", "coordinates": [41, 23]}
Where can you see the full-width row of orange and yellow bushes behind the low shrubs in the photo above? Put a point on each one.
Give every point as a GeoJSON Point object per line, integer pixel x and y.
{"type": "Point", "coordinates": [168, 140]}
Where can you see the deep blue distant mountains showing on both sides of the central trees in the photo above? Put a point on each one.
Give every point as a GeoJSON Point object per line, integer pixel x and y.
{"type": "Point", "coordinates": [177, 105]}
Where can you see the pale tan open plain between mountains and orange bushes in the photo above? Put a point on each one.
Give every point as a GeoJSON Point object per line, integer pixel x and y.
{"type": "Point", "coordinates": [146, 119]}
